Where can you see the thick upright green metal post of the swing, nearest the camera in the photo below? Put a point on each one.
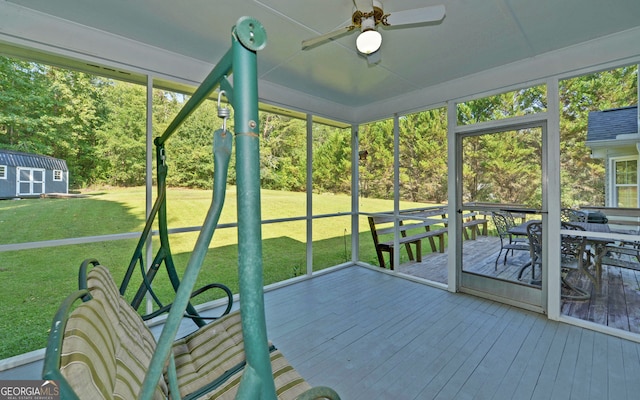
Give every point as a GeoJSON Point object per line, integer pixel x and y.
{"type": "Point", "coordinates": [249, 36]}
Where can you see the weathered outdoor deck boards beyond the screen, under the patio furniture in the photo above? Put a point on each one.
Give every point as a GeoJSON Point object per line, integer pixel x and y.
{"type": "Point", "coordinates": [617, 305]}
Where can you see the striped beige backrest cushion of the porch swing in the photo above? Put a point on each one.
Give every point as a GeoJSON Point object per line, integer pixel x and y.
{"type": "Point", "coordinates": [114, 329]}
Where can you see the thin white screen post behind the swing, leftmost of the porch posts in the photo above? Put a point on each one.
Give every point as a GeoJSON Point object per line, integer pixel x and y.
{"type": "Point", "coordinates": [149, 178]}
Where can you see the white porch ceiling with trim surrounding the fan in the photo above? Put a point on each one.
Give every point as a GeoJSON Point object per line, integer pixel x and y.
{"type": "Point", "coordinates": [481, 45]}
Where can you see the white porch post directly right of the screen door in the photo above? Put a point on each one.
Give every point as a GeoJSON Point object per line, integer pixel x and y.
{"type": "Point", "coordinates": [551, 204]}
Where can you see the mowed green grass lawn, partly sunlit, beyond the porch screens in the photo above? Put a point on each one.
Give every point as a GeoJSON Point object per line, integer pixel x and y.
{"type": "Point", "coordinates": [36, 281]}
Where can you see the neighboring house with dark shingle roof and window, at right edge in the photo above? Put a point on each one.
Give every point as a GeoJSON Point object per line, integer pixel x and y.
{"type": "Point", "coordinates": [613, 136]}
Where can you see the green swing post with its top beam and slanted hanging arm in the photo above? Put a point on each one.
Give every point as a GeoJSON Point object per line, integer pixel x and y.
{"type": "Point", "coordinates": [248, 37]}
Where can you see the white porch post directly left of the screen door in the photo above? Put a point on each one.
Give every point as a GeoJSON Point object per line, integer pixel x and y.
{"type": "Point", "coordinates": [455, 246]}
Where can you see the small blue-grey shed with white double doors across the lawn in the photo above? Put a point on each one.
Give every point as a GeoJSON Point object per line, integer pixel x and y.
{"type": "Point", "coordinates": [30, 175]}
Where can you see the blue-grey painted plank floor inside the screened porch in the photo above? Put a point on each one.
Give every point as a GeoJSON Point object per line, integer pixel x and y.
{"type": "Point", "coordinates": [371, 335]}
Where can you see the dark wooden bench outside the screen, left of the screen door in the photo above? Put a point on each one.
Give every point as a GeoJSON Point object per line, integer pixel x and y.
{"type": "Point", "coordinates": [382, 228]}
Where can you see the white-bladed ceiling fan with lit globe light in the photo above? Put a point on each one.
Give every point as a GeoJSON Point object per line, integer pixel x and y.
{"type": "Point", "coordinates": [368, 15]}
